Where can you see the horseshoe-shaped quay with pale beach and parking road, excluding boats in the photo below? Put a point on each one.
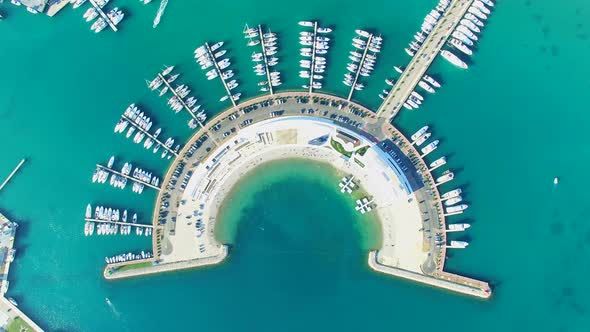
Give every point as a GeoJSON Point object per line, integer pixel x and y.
{"type": "Point", "coordinates": [406, 251]}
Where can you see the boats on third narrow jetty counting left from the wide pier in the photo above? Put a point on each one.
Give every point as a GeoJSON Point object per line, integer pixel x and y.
{"type": "Point", "coordinates": [266, 58]}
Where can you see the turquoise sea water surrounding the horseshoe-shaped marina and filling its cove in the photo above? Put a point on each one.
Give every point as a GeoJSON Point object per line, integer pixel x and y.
{"type": "Point", "coordinates": [509, 124]}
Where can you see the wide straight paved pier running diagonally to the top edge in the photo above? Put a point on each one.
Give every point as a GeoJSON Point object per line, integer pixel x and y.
{"type": "Point", "coordinates": [423, 59]}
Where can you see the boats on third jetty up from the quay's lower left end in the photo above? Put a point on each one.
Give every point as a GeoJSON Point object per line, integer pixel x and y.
{"type": "Point", "coordinates": [140, 123]}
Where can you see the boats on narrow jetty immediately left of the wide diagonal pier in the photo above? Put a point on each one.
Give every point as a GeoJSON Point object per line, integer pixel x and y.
{"type": "Point", "coordinates": [362, 57]}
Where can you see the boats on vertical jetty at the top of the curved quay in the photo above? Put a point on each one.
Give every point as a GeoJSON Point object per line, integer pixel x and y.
{"type": "Point", "coordinates": [314, 48]}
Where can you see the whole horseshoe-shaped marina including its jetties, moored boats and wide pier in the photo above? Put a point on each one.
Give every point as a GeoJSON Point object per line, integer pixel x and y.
{"type": "Point", "coordinates": [359, 142]}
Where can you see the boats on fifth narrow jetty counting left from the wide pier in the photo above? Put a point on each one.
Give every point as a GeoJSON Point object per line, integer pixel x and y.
{"type": "Point", "coordinates": [180, 96]}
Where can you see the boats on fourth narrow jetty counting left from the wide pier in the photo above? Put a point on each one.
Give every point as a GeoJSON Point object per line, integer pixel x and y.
{"type": "Point", "coordinates": [210, 58]}
